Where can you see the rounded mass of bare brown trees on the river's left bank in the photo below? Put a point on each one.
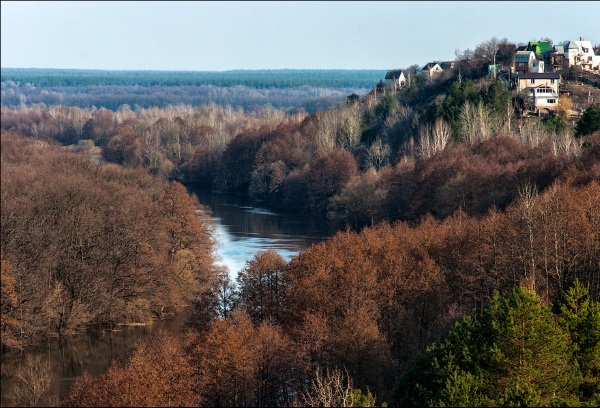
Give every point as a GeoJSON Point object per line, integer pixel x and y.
{"type": "Point", "coordinates": [92, 244]}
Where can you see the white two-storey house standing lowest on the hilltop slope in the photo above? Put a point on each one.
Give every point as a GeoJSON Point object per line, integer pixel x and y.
{"type": "Point", "coordinates": [541, 90]}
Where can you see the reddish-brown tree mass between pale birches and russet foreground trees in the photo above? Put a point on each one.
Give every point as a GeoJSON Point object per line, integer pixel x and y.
{"type": "Point", "coordinates": [473, 178]}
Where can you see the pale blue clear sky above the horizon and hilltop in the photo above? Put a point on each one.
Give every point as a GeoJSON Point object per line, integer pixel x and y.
{"type": "Point", "coordinates": [216, 36]}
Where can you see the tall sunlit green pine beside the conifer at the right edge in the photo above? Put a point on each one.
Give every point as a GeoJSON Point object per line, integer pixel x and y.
{"type": "Point", "coordinates": [530, 353]}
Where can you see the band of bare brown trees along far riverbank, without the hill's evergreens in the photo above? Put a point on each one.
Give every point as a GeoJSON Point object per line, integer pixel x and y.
{"type": "Point", "coordinates": [297, 161]}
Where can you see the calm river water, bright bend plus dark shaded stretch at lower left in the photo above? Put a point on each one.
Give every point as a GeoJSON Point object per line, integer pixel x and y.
{"type": "Point", "coordinates": [242, 230]}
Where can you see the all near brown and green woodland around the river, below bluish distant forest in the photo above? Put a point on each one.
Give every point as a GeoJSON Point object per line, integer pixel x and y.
{"type": "Point", "coordinates": [464, 272]}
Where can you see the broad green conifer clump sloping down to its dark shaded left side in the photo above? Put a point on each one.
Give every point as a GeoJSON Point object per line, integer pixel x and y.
{"type": "Point", "coordinates": [514, 354]}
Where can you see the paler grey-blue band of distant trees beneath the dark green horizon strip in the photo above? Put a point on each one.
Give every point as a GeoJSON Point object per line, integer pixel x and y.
{"type": "Point", "coordinates": [115, 97]}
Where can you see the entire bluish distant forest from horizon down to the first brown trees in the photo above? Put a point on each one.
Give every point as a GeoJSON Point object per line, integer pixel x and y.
{"type": "Point", "coordinates": [288, 90]}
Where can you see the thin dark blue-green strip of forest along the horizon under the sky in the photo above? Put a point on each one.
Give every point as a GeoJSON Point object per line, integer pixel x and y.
{"type": "Point", "coordinates": [259, 79]}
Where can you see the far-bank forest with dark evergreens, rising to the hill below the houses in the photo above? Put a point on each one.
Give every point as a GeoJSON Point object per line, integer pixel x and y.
{"type": "Point", "coordinates": [383, 157]}
